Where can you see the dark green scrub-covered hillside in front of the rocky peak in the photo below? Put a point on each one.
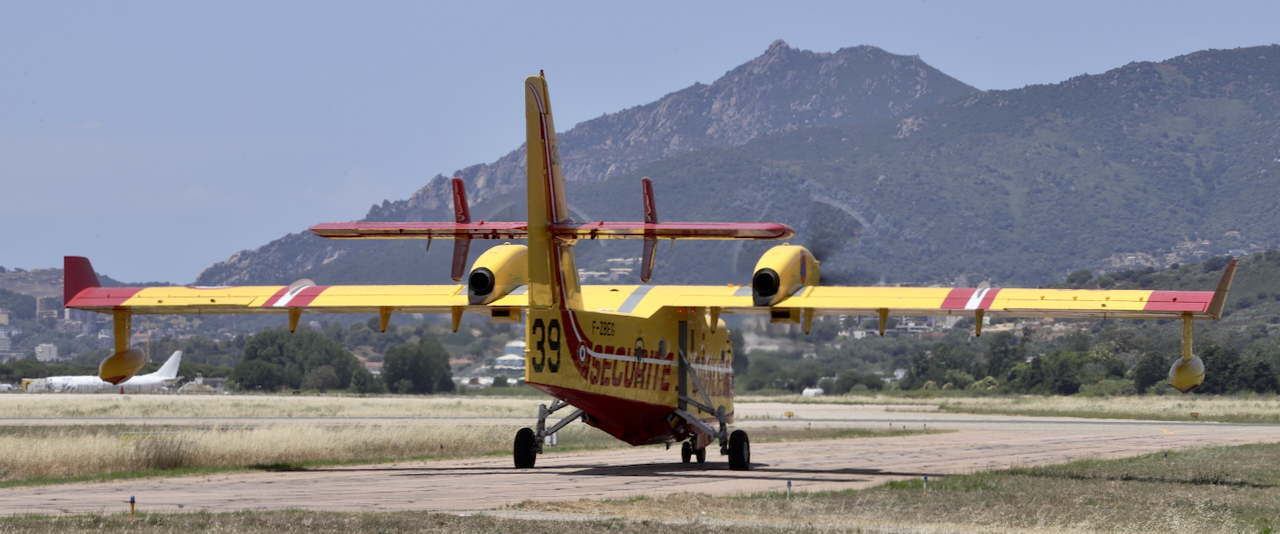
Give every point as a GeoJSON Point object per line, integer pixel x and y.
{"type": "Point", "coordinates": [1013, 186]}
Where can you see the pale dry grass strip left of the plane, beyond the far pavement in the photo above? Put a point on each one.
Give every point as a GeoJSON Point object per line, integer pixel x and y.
{"type": "Point", "coordinates": [262, 407]}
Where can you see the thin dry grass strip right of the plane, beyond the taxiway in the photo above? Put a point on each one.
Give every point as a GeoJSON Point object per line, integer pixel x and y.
{"type": "Point", "coordinates": [1173, 408]}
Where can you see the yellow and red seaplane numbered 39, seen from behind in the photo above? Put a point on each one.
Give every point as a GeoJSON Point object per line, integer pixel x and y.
{"type": "Point", "coordinates": [646, 364]}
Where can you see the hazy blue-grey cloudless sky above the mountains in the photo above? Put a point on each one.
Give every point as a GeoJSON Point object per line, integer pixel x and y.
{"type": "Point", "coordinates": [158, 139]}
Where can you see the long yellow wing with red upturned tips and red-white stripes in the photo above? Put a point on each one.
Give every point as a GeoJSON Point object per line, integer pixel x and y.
{"type": "Point", "coordinates": [648, 300]}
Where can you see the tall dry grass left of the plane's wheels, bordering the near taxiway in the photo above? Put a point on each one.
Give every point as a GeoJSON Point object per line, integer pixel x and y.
{"type": "Point", "coordinates": [52, 454]}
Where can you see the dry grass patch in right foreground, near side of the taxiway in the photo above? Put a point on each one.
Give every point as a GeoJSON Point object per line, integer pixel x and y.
{"type": "Point", "coordinates": [1219, 490]}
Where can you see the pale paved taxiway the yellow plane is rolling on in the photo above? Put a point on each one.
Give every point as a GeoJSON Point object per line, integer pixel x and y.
{"type": "Point", "coordinates": [979, 444]}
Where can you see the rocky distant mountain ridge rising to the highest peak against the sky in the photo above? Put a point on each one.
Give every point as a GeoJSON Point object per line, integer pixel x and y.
{"type": "Point", "coordinates": [783, 89]}
